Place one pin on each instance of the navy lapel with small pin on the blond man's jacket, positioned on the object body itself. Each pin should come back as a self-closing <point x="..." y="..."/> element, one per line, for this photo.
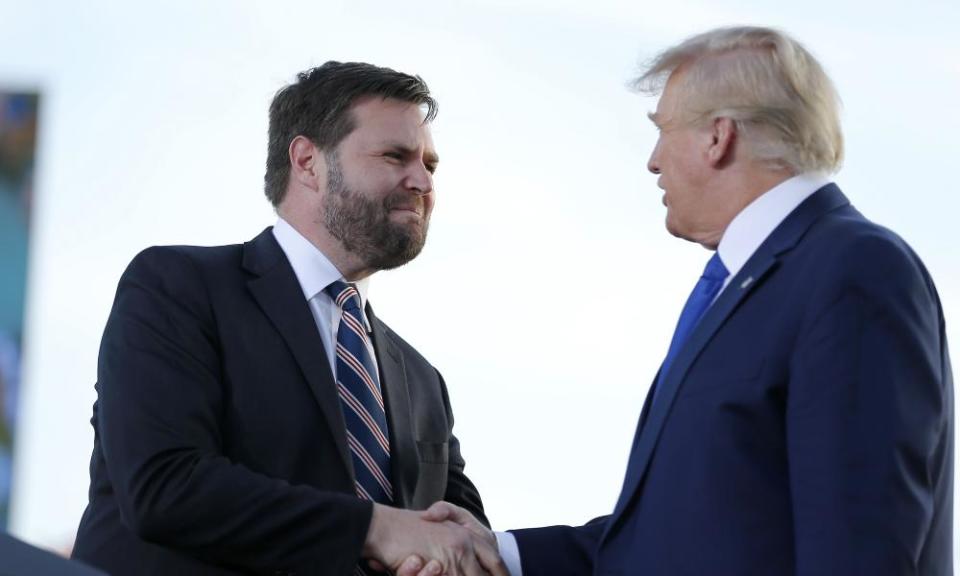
<point x="760" y="265"/>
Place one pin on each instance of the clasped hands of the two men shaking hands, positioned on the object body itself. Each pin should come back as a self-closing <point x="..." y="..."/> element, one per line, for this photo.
<point x="442" y="540"/>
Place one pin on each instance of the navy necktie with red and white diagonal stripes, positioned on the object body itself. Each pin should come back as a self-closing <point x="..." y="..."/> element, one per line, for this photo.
<point x="361" y="400"/>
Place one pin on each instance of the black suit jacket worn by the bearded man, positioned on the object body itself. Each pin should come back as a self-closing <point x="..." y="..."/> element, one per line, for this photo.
<point x="220" y="446"/>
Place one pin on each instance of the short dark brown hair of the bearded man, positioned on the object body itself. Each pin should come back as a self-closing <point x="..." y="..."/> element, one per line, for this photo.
<point x="318" y="105"/>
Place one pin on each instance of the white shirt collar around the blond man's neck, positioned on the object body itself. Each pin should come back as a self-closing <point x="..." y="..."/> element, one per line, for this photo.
<point x="760" y="218"/>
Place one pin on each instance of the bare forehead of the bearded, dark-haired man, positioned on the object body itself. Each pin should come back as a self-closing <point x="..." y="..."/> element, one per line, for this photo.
<point x="381" y="120"/>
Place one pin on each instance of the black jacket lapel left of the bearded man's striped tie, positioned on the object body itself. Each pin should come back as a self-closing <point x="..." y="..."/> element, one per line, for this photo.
<point x="276" y="290"/>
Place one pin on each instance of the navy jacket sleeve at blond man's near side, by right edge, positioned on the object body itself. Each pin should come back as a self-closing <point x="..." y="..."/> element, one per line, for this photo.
<point x="870" y="419"/>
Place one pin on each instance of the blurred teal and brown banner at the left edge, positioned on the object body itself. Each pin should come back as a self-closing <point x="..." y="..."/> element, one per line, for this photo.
<point x="18" y="135"/>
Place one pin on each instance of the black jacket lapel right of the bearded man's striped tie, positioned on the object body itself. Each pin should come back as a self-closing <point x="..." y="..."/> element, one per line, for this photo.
<point x="396" y="398"/>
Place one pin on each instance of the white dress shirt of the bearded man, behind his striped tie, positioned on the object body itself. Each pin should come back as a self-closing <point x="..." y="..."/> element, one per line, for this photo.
<point x="315" y="272"/>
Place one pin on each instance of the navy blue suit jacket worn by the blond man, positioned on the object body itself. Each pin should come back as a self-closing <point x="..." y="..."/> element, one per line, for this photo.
<point x="806" y="427"/>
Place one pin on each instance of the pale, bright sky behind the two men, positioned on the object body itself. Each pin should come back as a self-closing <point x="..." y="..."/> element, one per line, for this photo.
<point x="153" y="131"/>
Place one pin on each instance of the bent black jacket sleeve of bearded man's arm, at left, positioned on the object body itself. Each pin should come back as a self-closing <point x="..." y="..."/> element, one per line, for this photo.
<point x="161" y="398"/>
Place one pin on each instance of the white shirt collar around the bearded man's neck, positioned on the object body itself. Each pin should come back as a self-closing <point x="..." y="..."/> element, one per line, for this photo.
<point x="313" y="269"/>
